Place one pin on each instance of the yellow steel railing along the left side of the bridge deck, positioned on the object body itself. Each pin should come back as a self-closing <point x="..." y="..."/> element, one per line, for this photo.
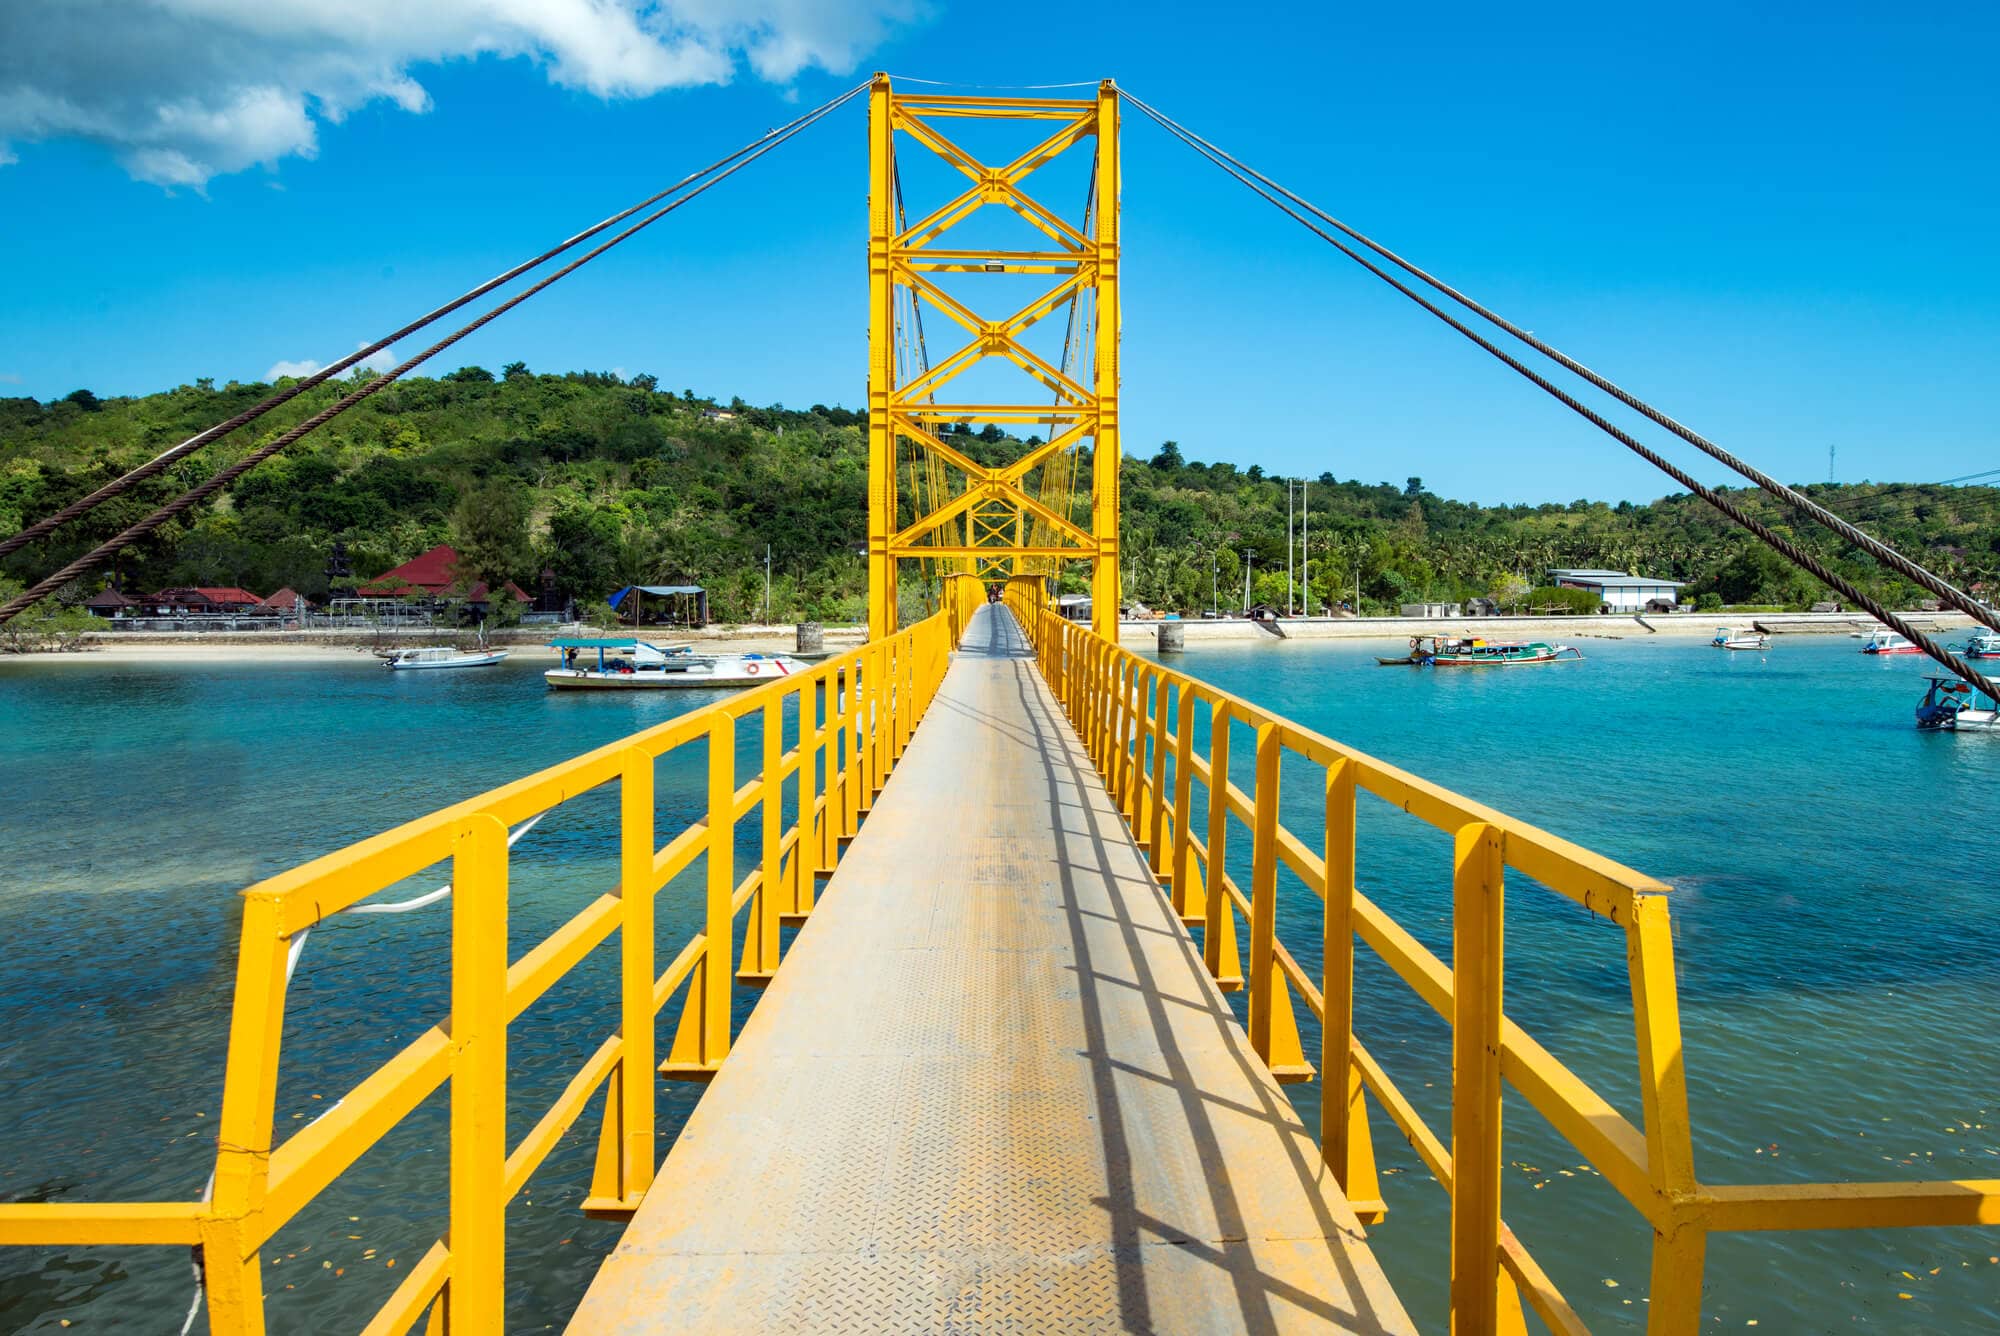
<point x="855" y="717"/>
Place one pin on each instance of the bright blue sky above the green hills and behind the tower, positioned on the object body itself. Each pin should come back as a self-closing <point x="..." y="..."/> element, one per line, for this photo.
<point x="1781" y="225"/>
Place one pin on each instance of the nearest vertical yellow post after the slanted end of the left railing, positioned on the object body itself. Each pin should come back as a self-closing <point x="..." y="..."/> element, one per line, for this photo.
<point x="475" y="1297"/>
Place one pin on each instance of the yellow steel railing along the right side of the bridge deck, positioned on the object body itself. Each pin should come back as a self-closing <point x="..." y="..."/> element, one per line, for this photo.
<point x="1139" y="721"/>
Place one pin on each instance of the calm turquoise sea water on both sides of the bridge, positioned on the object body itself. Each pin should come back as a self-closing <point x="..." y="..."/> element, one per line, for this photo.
<point x="1837" y="941"/>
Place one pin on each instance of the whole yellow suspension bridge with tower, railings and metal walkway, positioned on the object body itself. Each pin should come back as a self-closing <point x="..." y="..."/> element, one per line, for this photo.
<point x="995" y="1081"/>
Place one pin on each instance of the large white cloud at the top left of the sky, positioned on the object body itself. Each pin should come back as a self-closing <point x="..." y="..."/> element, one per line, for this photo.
<point x="185" y="91"/>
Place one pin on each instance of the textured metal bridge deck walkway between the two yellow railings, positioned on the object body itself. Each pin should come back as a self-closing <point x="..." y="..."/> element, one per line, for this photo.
<point x="993" y="1087"/>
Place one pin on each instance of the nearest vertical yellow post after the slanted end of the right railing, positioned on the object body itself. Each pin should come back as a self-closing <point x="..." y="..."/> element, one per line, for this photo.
<point x="1479" y="939"/>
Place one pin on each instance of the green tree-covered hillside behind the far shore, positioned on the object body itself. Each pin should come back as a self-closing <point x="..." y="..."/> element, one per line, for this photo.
<point x="609" y="481"/>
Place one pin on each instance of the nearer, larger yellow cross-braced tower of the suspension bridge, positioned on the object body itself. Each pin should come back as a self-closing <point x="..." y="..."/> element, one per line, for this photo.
<point x="931" y="503"/>
